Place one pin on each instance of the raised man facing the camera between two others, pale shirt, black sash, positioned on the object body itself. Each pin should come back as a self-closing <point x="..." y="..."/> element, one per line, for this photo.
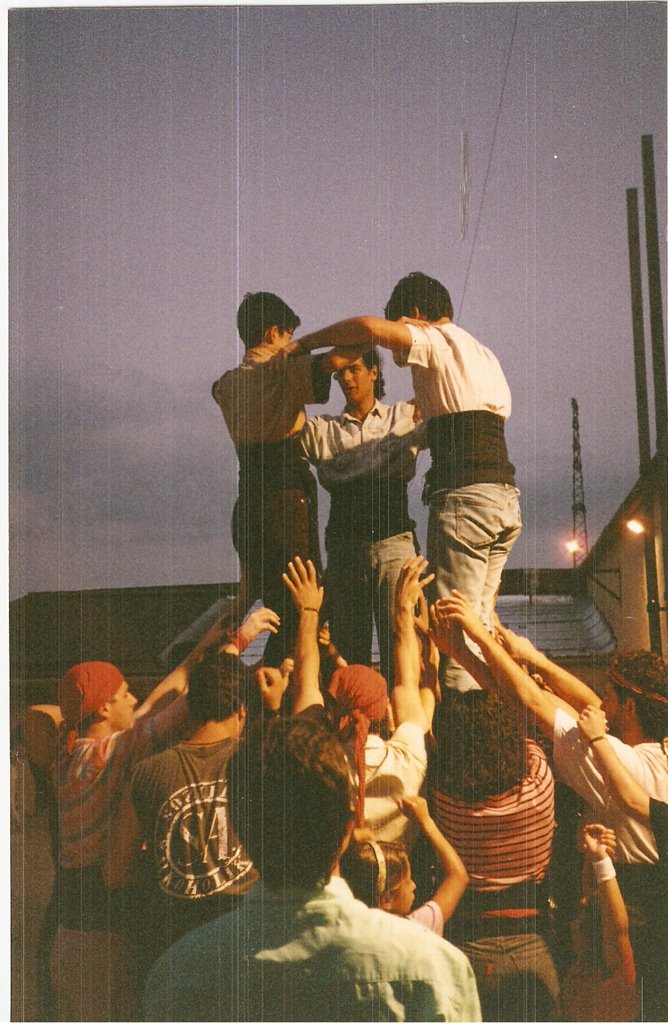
<point x="365" y="458"/>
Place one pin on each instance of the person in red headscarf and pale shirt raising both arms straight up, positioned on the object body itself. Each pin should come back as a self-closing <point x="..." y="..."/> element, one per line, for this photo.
<point x="388" y="767"/>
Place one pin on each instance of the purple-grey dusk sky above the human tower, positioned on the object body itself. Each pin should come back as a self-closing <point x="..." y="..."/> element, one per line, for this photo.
<point x="165" y="161"/>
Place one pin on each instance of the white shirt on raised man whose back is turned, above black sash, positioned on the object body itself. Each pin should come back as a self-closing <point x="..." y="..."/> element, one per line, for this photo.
<point x="453" y="373"/>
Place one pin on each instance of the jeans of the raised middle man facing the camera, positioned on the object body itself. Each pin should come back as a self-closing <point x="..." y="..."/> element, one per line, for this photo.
<point x="360" y="584"/>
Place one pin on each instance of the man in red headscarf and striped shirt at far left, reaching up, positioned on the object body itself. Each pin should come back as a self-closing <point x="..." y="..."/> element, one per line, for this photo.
<point x="104" y="736"/>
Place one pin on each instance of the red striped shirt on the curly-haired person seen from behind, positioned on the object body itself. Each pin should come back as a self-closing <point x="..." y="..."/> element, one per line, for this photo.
<point x="506" y="839"/>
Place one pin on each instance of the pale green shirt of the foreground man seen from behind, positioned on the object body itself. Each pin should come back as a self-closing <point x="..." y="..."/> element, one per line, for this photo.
<point x="312" y="956"/>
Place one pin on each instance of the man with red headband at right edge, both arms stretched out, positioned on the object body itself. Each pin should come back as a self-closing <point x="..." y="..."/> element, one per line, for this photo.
<point x="636" y="709"/>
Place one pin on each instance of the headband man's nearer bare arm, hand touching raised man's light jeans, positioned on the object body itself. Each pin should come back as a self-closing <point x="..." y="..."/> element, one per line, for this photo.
<point x="499" y="671"/>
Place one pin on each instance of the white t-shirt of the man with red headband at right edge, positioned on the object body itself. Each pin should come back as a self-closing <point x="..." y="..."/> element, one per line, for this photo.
<point x="575" y="764"/>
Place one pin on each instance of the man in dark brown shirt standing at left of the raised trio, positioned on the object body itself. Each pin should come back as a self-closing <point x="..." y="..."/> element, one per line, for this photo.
<point x="263" y="401"/>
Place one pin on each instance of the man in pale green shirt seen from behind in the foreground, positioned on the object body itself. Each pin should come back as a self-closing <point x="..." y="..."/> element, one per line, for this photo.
<point x="302" y="948"/>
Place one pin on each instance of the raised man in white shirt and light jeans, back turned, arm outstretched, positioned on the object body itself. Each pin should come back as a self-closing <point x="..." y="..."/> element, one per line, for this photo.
<point x="465" y="399"/>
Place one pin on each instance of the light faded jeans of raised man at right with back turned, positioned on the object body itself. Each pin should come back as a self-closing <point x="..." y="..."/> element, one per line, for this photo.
<point x="471" y="533"/>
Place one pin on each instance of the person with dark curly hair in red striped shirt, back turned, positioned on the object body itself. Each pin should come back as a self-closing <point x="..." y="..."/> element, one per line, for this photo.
<point x="493" y="798"/>
